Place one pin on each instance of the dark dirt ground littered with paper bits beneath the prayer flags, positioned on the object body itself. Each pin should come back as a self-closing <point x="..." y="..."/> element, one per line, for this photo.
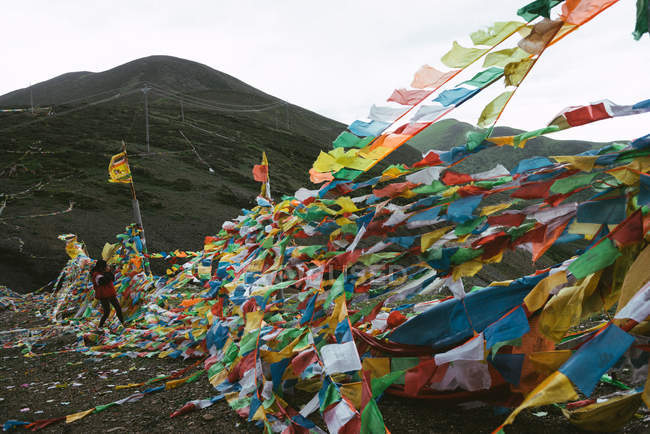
<point x="58" y="384"/>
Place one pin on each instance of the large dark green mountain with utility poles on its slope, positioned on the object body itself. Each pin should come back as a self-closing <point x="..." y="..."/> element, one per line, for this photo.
<point x="60" y="154"/>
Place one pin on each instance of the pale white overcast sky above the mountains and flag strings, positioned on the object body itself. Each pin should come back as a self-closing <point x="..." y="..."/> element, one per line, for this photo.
<point x="336" y="57"/>
